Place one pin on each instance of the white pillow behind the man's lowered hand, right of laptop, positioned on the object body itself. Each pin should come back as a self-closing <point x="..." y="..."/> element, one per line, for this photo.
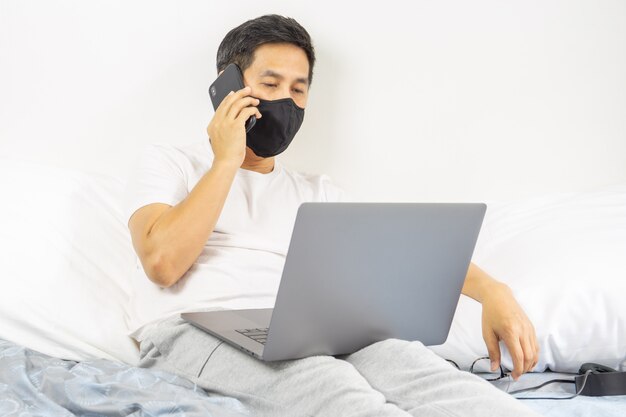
<point x="564" y="257"/>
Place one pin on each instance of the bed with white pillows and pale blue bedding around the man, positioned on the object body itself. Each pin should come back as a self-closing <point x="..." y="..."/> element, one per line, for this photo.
<point x="66" y="255"/>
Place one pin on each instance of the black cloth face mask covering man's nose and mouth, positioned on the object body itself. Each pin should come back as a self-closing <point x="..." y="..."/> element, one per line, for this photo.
<point x="272" y="133"/>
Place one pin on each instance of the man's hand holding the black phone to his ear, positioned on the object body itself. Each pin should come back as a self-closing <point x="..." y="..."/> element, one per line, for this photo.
<point x="227" y="130"/>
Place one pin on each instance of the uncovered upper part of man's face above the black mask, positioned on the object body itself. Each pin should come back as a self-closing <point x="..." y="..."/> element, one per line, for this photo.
<point x="279" y="70"/>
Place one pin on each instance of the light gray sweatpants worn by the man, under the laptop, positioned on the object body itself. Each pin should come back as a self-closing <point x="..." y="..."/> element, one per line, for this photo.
<point x="388" y="378"/>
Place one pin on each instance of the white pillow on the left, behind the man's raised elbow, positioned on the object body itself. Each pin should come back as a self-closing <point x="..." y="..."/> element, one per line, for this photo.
<point x="65" y="263"/>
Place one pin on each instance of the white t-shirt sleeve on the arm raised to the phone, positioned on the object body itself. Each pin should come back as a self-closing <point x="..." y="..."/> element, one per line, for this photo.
<point x="158" y="177"/>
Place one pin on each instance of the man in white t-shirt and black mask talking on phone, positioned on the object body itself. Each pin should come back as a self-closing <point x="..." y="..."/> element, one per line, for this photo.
<point x="211" y="224"/>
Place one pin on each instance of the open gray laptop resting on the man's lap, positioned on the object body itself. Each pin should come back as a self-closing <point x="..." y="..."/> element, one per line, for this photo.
<point x="358" y="273"/>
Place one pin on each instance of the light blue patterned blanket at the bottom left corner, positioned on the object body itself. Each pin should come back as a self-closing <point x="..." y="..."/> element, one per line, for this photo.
<point x="32" y="383"/>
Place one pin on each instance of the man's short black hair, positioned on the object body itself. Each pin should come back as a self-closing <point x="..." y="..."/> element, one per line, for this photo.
<point x="239" y="44"/>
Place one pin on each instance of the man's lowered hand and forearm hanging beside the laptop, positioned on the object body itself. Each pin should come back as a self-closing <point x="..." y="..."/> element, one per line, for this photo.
<point x="503" y="319"/>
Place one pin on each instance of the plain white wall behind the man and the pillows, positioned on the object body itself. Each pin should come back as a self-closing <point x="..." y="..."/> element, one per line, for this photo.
<point x="412" y="100"/>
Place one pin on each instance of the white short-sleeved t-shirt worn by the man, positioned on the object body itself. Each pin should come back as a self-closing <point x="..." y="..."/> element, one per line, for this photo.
<point x="242" y="261"/>
